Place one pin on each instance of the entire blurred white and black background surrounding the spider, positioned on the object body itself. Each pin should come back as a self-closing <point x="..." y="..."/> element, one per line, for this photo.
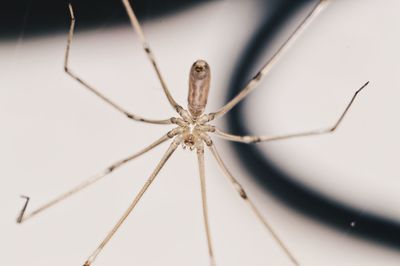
<point x="333" y="199"/>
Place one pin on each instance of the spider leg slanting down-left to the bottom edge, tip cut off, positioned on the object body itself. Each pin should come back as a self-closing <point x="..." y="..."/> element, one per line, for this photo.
<point x="150" y="180"/>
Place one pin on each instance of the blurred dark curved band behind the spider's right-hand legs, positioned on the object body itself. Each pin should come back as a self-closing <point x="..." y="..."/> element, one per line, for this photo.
<point x="282" y="186"/>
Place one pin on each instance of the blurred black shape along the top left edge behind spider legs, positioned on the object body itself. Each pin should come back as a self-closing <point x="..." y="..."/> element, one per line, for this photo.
<point x="30" y="17"/>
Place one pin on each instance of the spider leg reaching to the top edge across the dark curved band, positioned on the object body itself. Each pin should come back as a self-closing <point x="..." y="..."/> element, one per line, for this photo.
<point x="270" y="63"/>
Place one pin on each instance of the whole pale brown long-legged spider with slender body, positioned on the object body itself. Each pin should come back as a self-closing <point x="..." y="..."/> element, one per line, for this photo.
<point x="191" y="130"/>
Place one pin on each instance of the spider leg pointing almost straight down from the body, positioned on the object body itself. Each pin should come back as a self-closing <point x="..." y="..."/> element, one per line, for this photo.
<point x="200" y="157"/>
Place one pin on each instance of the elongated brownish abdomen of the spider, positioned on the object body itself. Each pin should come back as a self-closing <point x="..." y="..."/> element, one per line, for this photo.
<point x="199" y="85"/>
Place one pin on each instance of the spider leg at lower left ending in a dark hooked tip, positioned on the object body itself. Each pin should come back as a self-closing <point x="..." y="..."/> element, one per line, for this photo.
<point x="22" y="217"/>
